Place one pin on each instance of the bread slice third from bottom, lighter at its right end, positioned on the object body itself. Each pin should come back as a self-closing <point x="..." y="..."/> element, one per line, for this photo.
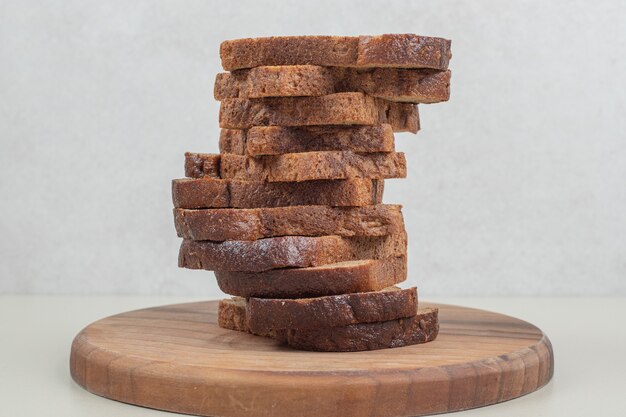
<point x="331" y="279"/>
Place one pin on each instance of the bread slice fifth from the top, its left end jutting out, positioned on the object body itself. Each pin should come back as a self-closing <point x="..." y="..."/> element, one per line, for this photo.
<point x="296" y="167"/>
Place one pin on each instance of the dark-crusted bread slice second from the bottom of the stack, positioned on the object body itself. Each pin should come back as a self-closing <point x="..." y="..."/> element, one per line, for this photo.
<point x="265" y="315"/>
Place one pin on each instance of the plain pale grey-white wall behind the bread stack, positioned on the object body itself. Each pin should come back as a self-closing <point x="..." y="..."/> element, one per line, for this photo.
<point x="517" y="186"/>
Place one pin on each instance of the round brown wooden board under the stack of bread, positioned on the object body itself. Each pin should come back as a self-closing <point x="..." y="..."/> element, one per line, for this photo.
<point x="176" y="358"/>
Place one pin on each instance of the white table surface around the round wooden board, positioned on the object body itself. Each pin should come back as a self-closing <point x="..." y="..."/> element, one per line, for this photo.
<point x="588" y="337"/>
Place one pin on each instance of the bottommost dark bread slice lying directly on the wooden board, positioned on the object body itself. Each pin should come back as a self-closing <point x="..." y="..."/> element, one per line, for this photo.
<point x="421" y="328"/>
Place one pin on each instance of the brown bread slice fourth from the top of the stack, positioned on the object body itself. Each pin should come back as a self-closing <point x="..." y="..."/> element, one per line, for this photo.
<point x="276" y="140"/>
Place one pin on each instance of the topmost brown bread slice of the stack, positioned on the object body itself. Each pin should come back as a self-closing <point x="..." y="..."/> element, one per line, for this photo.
<point x="393" y="50"/>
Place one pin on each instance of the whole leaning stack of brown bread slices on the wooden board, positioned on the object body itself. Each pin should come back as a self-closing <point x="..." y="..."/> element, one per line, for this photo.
<point x="289" y="215"/>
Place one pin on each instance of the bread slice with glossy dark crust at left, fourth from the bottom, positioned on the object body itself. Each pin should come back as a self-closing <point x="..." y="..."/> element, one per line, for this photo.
<point x="286" y="251"/>
